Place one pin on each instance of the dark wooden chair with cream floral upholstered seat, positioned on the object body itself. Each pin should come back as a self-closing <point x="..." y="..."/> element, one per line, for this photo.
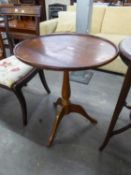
<point x="14" y="75"/>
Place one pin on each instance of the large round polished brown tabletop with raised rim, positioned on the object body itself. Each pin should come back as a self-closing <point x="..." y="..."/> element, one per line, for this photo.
<point x="66" y="51"/>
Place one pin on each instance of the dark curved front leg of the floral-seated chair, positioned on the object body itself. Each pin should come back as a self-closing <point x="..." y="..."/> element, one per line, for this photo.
<point x="21" y="99"/>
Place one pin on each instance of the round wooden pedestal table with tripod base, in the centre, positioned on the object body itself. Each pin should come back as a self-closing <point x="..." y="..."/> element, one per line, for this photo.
<point x="66" y="52"/>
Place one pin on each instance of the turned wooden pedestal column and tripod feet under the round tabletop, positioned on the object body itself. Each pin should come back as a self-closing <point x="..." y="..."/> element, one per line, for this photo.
<point x="67" y="107"/>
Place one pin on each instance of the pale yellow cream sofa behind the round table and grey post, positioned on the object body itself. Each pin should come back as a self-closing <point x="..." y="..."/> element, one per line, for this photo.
<point x="113" y="23"/>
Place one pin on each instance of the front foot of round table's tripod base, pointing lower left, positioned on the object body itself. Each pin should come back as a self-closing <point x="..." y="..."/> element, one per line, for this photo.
<point x="56" y="123"/>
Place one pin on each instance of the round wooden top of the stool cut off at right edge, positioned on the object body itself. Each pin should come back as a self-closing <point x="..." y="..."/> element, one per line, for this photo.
<point x="125" y="50"/>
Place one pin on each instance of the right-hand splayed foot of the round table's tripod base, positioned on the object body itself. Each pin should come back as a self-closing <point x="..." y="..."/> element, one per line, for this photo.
<point x="79" y="109"/>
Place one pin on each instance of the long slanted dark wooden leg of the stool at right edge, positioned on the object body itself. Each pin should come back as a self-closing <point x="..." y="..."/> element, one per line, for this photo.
<point x="120" y="103"/>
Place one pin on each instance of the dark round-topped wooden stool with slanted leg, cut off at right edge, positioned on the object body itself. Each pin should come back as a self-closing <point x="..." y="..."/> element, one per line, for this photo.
<point x="125" y="53"/>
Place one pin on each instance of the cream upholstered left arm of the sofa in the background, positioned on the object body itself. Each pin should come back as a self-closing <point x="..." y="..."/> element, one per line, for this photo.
<point x="48" y="27"/>
